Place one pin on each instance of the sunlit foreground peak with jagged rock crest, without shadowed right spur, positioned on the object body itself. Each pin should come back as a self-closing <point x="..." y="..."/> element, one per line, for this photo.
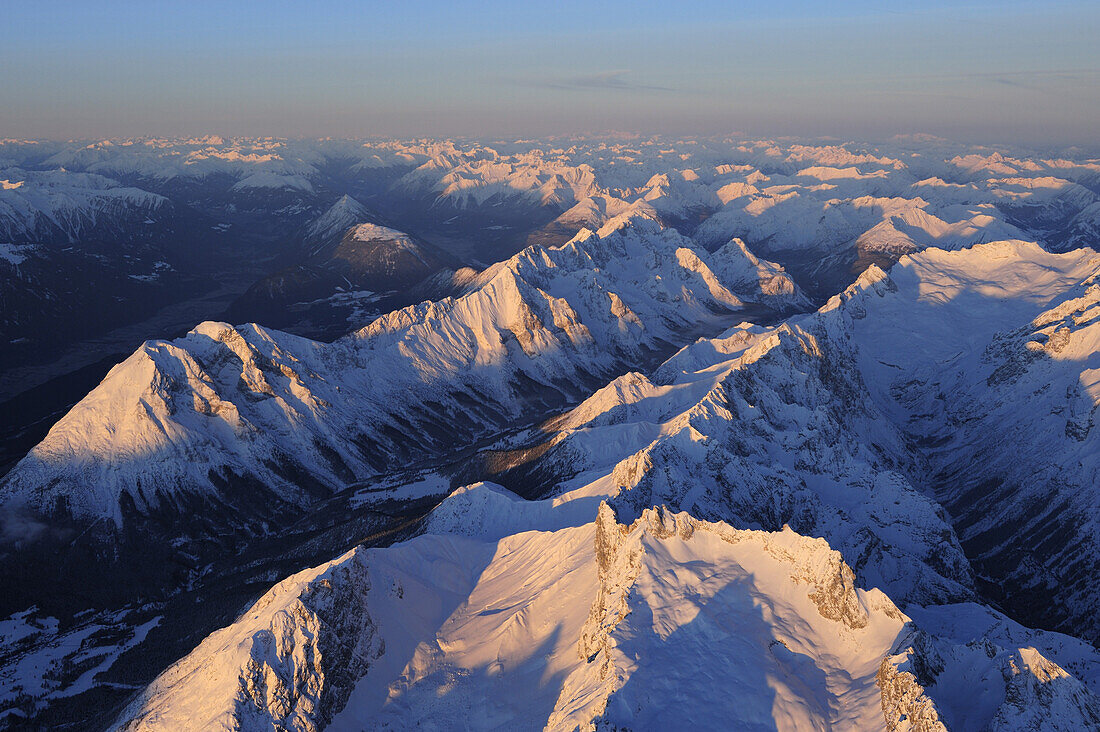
<point x="365" y="640"/>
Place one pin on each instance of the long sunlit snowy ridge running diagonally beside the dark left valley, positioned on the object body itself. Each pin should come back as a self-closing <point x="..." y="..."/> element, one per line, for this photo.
<point x="228" y="407"/>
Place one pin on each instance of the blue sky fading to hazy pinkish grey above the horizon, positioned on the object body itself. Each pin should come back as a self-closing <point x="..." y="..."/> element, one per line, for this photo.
<point x="1007" y="72"/>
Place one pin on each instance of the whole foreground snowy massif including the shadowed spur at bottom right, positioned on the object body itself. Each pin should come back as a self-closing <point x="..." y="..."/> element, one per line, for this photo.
<point x="663" y="622"/>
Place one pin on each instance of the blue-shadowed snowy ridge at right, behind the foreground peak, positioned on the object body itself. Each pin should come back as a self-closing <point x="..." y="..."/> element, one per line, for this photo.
<point x="744" y="428"/>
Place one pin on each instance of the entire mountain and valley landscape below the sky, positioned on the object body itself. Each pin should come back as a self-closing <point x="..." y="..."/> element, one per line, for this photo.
<point x="596" y="433"/>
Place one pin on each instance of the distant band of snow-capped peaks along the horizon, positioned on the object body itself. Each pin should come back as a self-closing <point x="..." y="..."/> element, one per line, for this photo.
<point x="778" y="196"/>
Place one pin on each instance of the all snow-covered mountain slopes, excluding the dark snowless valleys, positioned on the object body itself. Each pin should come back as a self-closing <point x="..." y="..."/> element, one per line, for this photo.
<point x="966" y="377"/>
